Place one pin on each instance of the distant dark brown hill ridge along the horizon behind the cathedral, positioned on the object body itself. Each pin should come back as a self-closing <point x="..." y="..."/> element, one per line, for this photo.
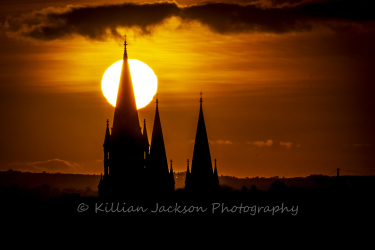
<point x="87" y="185"/>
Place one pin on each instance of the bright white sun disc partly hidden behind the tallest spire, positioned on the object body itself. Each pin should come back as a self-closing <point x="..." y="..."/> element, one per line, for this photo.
<point x="144" y="82"/>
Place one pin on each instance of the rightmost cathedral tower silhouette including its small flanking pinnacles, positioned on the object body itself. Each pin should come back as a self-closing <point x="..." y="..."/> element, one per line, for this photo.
<point x="201" y="177"/>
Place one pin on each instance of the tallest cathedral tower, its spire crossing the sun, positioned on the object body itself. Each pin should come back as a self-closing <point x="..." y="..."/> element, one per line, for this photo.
<point x="124" y="147"/>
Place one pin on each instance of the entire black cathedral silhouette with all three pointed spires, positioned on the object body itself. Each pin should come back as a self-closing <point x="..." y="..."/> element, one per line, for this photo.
<point x="132" y="166"/>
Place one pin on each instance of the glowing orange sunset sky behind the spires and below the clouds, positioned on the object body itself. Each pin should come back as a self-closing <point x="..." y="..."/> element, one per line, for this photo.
<point x="279" y="100"/>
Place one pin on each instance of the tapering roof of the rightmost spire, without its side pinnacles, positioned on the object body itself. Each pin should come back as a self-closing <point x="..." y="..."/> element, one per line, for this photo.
<point x="201" y="163"/>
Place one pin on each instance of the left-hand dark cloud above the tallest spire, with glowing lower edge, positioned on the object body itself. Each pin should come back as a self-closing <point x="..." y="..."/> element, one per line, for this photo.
<point x="94" y="22"/>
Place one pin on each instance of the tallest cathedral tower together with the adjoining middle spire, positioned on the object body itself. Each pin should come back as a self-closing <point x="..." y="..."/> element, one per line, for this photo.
<point x="131" y="165"/>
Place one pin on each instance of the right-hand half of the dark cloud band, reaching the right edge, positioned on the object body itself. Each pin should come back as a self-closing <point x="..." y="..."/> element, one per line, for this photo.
<point x="226" y="18"/>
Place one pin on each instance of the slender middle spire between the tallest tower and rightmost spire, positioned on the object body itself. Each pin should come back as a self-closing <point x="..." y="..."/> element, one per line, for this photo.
<point x="158" y="156"/>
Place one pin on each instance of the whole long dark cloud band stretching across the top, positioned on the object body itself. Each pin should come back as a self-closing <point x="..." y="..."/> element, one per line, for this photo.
<point x="276" y="16"/>
